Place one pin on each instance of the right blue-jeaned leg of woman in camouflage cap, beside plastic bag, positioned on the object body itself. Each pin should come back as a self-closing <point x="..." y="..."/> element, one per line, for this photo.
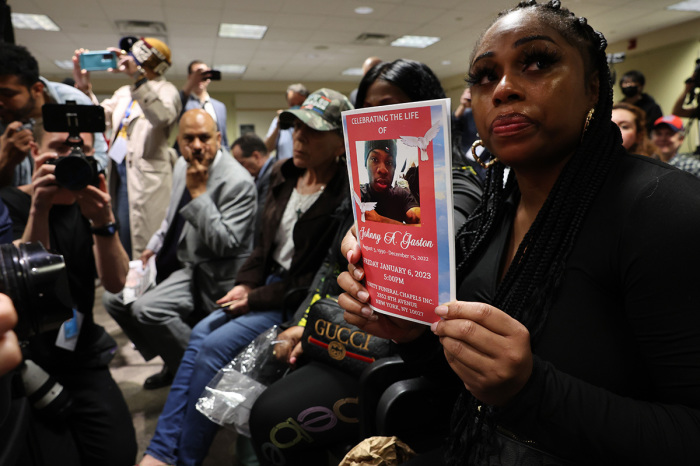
<point x="217" y="350"/>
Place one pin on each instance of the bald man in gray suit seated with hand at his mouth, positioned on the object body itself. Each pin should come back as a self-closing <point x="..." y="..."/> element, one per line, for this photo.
<point x="206" y="235"/>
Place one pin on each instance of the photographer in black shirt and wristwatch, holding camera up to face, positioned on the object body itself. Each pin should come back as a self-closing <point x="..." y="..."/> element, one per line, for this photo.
<point x="94" y="425"/>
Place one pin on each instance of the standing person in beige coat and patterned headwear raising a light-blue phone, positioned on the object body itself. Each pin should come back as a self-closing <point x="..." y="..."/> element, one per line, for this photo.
<point x="142" y="116"/>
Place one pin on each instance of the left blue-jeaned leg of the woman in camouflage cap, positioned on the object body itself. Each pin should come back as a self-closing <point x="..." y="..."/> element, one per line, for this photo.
<point x="164" y="445"/>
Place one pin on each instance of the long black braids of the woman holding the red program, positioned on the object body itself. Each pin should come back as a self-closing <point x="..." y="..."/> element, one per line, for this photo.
<point x="529" y="287"/>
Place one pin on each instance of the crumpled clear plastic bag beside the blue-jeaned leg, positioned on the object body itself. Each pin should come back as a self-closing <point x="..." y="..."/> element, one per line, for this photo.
<point x="230" y="395"/>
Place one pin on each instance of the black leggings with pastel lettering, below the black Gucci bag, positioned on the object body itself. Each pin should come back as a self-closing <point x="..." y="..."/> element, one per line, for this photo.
<point x="298" y="417"/>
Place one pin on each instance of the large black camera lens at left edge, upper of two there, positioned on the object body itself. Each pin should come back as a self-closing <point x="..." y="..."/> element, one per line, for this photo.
<point x="37" y="283"/>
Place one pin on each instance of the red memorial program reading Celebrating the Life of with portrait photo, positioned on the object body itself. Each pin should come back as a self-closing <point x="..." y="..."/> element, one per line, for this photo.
<point x="399" y="164"/>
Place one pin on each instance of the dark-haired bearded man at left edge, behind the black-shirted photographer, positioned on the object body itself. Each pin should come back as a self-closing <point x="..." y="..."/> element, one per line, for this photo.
<point x="22" y="94"/>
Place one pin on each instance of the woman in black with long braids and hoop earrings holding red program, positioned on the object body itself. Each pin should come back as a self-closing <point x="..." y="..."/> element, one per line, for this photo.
<point x="575" y="336"/>
